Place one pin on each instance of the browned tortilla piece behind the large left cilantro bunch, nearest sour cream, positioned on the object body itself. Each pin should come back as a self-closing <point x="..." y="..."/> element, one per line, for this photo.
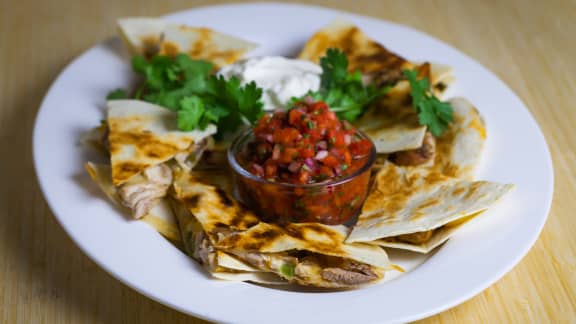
<point x="203" y="43"/>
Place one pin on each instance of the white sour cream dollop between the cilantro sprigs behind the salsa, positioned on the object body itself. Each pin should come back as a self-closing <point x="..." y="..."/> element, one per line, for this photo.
<point x="280" y="78"/>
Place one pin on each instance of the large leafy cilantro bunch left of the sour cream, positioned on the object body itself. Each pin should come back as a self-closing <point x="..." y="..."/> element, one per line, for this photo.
<point x="199" y="98"/>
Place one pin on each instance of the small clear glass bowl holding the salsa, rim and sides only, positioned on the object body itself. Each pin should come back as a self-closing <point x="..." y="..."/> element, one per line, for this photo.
<point x="332" y="202"/>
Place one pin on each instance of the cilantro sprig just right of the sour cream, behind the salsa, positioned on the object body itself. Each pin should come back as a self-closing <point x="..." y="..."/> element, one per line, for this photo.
<point x="344" y="92"/>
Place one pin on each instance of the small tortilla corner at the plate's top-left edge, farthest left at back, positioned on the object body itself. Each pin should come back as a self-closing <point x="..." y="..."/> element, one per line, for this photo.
<point x="142" y="35"/>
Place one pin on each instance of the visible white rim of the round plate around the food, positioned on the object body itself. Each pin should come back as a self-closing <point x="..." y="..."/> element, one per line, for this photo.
<point x="131" y="251"/>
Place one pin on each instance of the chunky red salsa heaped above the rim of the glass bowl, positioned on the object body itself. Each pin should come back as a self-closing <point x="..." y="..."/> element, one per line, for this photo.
<point x="304" y="145"/>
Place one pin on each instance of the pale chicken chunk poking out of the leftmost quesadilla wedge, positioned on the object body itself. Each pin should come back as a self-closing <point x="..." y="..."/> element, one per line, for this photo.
<point x="142" y="192"/>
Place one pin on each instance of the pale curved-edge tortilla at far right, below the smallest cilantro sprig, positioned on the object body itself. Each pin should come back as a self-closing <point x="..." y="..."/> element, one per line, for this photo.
<point x="459" y="149"/>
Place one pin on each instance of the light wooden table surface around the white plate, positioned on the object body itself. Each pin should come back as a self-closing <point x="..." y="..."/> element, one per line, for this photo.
<point x="45" y="278"/>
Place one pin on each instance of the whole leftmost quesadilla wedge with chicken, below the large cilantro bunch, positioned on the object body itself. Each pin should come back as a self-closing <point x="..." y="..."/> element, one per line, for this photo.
<point x="142" y="141"/>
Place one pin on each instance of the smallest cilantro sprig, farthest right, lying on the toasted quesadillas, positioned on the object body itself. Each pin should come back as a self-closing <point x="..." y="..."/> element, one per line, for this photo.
<point x="433" y="113"/>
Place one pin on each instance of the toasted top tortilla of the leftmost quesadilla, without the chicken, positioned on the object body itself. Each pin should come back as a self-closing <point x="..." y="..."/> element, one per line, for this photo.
<point x="142" y="135"/>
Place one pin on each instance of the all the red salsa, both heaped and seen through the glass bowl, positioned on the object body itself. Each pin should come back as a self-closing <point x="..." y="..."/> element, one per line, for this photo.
<point x="306" y="145"/>
